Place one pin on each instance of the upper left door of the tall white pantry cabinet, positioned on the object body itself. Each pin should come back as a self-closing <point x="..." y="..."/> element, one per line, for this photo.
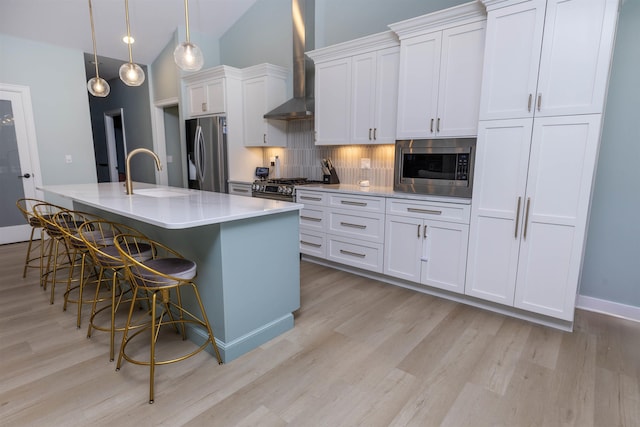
<point x="511" y="58"/>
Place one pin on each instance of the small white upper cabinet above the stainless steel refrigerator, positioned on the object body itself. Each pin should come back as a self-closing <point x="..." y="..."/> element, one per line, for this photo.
<point x="207" y="90"/>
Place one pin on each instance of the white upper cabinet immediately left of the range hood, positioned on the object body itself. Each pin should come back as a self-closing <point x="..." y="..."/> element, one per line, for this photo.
<point x="263" y="89"/>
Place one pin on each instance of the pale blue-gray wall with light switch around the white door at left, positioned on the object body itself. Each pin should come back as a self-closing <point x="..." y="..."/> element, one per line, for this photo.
<point x="60" y="102"/>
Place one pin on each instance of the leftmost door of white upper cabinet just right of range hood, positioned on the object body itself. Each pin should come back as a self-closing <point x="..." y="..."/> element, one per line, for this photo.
<point x="333" y="106"/>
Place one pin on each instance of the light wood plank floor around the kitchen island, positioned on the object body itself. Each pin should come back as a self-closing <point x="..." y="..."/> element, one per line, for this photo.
<point x="361" y="353"/>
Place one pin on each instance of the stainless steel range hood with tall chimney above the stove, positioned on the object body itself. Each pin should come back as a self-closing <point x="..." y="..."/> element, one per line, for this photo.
<point x="301" y="106"/>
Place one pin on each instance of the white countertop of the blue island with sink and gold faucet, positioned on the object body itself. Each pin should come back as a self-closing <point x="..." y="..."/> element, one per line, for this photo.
<point x="170" y="207"/>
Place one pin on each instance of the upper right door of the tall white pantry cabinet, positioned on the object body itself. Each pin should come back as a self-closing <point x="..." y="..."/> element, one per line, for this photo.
<point x="576" y="55"/>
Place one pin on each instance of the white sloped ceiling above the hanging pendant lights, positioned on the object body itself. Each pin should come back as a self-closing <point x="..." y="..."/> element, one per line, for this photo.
<point x="153" y="22"/>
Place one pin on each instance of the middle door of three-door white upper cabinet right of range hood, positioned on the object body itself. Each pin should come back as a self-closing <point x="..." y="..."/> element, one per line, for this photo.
<point x="363" y="98"/>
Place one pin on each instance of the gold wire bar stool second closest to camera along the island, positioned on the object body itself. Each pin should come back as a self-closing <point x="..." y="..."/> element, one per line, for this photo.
<point x="98" y="238"/>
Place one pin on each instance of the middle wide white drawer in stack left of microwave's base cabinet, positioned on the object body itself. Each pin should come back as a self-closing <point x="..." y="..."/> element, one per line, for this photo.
<point x="355" y="225"/>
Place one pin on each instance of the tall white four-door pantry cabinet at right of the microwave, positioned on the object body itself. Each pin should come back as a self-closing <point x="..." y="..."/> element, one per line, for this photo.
<point x="545" y="75"/>
